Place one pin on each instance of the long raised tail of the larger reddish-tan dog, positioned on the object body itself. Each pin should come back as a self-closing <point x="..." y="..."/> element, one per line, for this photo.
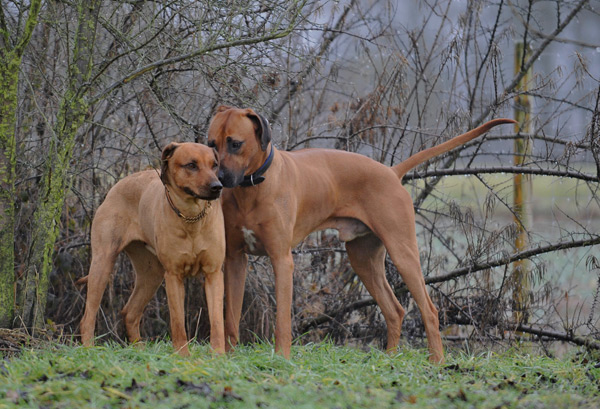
<point x="402" y="168"/>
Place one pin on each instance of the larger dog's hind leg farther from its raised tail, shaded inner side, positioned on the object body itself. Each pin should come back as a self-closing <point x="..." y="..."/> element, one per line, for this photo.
<point x="367" y="257"/>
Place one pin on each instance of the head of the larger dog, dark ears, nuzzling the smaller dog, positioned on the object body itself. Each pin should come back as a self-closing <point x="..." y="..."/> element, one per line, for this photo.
<point x="241" y="137"/>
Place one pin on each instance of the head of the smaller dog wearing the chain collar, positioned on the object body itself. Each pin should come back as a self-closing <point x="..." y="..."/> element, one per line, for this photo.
<point x="192" y="169"/>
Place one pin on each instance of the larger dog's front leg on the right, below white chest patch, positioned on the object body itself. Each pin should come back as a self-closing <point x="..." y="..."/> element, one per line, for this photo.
<point x="283" y="266"/>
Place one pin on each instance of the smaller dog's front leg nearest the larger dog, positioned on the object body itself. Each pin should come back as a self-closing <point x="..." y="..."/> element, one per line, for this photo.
<point x="214" y="289"/>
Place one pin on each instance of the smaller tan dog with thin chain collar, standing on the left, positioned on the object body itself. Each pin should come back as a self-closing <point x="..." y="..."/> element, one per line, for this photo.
<point x="136" y="217"/>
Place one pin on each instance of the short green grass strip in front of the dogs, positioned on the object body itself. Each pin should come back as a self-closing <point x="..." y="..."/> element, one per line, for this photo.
<point x="317" y="376"/>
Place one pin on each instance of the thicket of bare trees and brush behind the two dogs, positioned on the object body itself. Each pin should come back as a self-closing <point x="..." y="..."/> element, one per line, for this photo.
<point x="92" y="90"/>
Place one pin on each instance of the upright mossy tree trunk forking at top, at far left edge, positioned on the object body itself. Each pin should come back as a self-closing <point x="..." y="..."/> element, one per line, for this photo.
<point x="10" y="61"/>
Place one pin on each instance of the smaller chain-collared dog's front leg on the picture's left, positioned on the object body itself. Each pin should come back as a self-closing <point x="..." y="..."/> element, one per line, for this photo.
<point x="176" y="298"/>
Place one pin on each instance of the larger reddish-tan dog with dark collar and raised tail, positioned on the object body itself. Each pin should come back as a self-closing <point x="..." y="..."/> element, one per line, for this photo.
<point x="314" y="189"/>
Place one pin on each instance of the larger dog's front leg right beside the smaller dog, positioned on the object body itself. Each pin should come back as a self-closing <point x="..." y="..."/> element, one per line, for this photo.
<point x="235" y="283"/>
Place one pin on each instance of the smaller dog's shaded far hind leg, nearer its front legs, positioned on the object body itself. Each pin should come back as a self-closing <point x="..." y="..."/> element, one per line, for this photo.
<point x="149" y="274"/>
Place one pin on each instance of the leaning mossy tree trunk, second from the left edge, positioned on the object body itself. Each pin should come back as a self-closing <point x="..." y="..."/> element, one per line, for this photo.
<point x="55" y="182"/>
